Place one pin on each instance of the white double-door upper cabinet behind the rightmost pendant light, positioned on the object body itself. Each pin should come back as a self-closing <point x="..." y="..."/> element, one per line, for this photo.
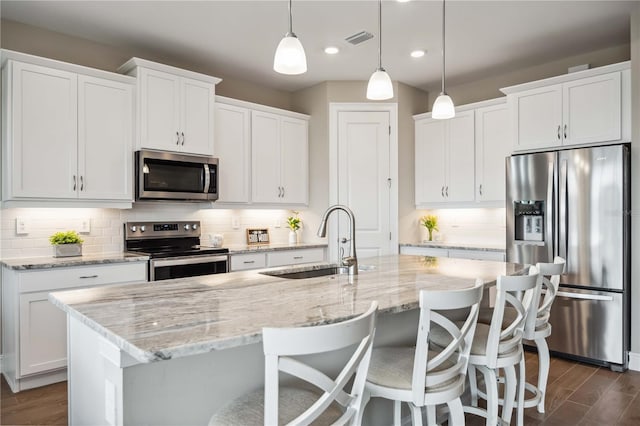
<point x="444" y="167"/>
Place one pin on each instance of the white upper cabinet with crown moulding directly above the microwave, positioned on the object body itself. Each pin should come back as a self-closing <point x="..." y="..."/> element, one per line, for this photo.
<point x="175" y="107"/>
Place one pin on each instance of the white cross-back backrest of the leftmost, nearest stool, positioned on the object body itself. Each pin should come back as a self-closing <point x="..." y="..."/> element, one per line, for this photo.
<point x="282" y="344"/>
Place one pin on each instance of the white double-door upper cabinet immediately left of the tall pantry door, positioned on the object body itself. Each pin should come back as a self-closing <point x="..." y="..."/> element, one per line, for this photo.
<point x="279" y="159"/>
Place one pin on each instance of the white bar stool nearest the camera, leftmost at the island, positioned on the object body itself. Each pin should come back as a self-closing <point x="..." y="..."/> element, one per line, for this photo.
<point x="327" y="402"/>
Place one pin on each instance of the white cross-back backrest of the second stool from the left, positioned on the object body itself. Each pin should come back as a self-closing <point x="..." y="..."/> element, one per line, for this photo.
<point x="450" y="363"/>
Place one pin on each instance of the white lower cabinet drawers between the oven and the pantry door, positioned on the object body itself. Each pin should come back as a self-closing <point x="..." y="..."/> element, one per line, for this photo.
<point x="246" y="261"/>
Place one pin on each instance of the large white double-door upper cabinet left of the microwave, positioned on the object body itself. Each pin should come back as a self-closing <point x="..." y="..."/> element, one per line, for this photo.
<point x="67" y="133"/>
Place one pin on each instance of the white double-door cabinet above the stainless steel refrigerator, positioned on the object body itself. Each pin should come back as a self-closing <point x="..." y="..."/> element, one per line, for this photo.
<point x="586" y="107"/>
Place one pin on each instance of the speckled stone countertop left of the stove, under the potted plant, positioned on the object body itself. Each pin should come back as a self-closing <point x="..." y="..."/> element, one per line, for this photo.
<point x="46" y="262"/>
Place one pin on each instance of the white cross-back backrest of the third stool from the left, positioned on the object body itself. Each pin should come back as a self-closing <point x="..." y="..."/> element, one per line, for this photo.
<point x="522" y="293"/>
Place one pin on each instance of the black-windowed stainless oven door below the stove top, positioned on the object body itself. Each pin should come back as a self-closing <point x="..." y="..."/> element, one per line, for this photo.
<point x="187" y="266"/>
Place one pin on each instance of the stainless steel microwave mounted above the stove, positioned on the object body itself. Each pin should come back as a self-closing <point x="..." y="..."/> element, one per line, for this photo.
<point x="172" y="176"/>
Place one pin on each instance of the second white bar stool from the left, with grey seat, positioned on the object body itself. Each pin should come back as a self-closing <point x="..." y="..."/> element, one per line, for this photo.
<point x="423" y="376"/>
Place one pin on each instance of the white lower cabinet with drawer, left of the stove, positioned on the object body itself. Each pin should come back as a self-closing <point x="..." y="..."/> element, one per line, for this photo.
<point x="34" y="333"/>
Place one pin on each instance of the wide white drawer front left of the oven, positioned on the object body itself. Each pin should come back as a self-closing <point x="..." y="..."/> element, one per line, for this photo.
<point x="82" y="276"/>
